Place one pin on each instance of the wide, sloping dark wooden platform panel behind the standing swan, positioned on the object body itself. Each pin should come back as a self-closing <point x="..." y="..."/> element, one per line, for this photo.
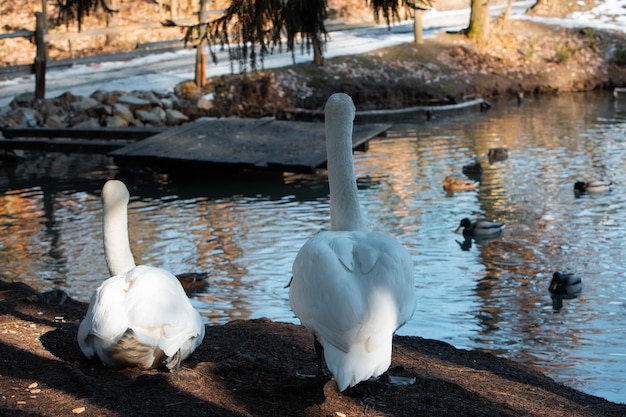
<point x="237" y="145"/>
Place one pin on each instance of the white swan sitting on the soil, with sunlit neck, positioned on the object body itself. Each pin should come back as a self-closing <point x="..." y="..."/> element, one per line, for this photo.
<point x="140" y="317"/>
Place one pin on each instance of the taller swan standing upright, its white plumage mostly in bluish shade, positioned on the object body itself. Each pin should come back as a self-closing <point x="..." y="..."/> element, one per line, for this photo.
<point x="351" y="288"/>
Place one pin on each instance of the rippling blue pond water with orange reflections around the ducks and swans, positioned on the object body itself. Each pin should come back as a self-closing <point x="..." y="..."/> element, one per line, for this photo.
<point x="490" y="296"/>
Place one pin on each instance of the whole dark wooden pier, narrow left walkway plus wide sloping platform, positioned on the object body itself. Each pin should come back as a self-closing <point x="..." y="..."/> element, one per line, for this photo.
<point x="225" y="145"/>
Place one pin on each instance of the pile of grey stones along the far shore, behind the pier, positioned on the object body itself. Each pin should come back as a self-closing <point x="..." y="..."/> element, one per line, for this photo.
<point x="100" y="109"/>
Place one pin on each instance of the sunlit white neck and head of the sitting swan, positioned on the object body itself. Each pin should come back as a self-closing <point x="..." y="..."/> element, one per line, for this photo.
<point x="117" y="251"/>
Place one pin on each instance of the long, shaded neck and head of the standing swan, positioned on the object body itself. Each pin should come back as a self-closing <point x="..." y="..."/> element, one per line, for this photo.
<point x="345" y="211"/>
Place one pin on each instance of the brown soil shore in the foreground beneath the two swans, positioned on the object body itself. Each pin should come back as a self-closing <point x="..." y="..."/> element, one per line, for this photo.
<point x="248" y="368"/>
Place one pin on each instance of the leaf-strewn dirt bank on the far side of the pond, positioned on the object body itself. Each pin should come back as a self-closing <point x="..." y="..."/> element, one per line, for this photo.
<point x="521" y="58"/>
